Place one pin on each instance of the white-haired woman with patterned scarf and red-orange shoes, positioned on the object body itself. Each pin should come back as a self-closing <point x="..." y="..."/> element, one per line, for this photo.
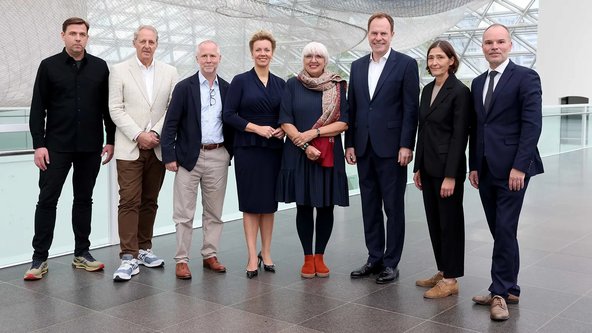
<point x="314" y="114"/>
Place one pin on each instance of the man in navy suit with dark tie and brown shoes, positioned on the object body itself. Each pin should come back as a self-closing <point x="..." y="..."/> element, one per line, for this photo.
<point x="503" y="155"/>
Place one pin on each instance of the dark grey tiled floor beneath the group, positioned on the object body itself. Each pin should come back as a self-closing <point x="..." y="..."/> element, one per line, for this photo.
<point x="556" y="278"/>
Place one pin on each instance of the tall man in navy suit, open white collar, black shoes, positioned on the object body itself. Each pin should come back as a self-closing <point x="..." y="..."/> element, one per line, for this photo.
<point x="383" y="101"/>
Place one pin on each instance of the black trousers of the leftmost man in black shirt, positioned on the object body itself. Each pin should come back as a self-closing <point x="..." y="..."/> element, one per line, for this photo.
<point x="51" y="181"/>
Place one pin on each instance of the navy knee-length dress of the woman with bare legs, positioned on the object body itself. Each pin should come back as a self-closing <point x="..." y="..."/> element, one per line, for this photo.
<point x="256" y="159"/>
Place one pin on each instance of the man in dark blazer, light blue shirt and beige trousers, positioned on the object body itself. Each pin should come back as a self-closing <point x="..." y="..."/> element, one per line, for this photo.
<point x="198" y="147"/>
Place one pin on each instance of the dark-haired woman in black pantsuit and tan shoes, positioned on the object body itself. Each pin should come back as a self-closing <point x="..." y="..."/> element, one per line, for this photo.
<point x="440" y="166"/>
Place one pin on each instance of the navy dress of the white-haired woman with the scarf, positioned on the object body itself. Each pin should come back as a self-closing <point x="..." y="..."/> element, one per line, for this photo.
<point x="301" y="180"/>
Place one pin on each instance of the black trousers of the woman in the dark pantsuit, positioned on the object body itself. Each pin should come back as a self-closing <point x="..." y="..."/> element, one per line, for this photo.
<point x="446" y="224"/>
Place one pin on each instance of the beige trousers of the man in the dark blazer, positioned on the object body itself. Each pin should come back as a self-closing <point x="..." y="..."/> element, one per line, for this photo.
<point x="211" y="173"/>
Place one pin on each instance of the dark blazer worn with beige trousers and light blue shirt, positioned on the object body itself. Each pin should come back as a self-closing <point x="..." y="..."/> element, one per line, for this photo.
<point x="181" y="133"/>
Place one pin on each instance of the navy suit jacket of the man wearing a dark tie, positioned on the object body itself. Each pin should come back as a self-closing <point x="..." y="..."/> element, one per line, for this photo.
<point x="508" y="134"/>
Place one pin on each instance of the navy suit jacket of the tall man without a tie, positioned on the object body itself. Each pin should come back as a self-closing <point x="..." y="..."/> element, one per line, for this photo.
<point x="389" y="120"/>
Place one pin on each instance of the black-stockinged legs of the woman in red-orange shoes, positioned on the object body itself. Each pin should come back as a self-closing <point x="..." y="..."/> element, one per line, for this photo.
<point x="305" y="224"/>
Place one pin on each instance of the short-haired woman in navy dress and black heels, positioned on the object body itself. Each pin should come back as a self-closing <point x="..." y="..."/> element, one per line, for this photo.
<point x="252" y="108"/>
